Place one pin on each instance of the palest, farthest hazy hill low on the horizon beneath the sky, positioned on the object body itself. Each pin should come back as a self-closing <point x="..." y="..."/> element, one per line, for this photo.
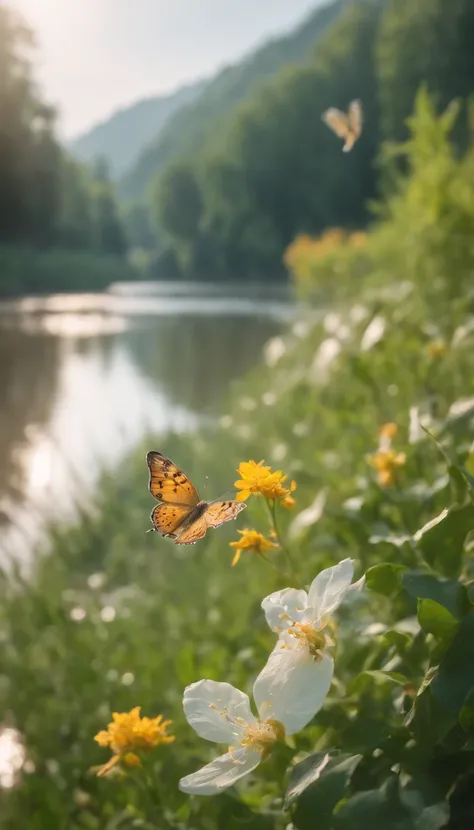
<point x="122" y="137"/>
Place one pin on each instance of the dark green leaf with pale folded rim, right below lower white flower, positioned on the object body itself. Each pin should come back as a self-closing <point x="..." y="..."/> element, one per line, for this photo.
<point x="317" y="784"/>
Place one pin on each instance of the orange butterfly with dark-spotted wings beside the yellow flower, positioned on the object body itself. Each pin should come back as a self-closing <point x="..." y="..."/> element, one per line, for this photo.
<point x="181" y="514"/>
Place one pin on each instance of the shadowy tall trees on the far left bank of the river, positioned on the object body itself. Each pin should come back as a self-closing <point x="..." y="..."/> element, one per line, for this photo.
<point x="47" y="200"/>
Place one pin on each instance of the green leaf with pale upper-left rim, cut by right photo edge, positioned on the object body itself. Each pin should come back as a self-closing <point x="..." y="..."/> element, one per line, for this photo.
<point x="442" y="539"/>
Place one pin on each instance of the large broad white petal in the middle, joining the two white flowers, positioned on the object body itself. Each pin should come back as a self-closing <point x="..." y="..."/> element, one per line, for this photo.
<point x="292" y="687"/>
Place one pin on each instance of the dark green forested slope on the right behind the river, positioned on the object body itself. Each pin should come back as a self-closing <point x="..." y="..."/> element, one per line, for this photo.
<point x="228" y="207"/>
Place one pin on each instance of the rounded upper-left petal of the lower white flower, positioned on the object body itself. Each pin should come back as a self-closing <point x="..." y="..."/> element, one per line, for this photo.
<point x="204" y="703"/>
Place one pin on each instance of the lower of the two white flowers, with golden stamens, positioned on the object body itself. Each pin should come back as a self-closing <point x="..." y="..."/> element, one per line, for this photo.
<point x="221" y="713"/>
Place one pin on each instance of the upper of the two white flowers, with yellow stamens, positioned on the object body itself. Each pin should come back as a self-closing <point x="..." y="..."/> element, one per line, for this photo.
<point x="300" y="665"/>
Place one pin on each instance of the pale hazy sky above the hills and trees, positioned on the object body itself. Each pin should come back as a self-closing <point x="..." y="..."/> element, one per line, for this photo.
<point x="97" y="55"/>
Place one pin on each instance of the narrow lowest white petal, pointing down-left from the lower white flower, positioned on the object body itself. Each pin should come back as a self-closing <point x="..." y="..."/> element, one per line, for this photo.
<point x="221" y="773"/>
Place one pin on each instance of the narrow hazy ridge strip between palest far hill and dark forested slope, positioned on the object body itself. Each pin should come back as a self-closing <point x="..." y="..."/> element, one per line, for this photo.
<point x="189" y="127"/>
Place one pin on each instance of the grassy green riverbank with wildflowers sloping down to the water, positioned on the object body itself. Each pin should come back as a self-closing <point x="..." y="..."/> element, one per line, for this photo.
<point x="113" y="618"/>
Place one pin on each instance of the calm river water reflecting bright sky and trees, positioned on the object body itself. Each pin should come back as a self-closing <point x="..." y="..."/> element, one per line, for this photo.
<point x="83" y="377"/>
